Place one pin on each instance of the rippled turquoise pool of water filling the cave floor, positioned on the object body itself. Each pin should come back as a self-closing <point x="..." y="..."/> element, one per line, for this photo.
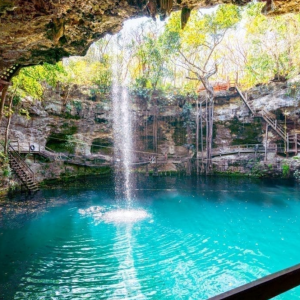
<point x="183" y="239"/>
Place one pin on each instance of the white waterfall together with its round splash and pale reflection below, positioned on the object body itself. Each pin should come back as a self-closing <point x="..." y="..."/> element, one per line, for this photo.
<point x="130" y="287"/>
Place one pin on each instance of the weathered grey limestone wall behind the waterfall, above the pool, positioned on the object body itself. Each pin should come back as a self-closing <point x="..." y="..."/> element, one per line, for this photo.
<point x="82" y="125"/>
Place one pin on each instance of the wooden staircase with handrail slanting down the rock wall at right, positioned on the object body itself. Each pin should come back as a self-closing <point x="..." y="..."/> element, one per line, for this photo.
<point x="292" y="141"/>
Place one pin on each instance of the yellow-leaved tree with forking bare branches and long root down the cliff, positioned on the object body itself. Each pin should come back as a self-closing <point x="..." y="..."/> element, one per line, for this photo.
<point x="197" y="47"/>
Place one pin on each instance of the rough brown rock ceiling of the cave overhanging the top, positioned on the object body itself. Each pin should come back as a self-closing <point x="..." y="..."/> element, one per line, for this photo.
<point x="39" y="31"/>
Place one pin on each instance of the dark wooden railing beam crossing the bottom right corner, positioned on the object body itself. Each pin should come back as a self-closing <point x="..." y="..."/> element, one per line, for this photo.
<point x="266" y="287"/>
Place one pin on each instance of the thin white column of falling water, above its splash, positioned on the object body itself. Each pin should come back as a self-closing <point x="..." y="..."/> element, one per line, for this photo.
<point x="122" y="127"/>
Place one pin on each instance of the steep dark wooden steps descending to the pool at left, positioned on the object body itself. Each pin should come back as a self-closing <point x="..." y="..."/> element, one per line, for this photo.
<point x="22" y="170"/>
